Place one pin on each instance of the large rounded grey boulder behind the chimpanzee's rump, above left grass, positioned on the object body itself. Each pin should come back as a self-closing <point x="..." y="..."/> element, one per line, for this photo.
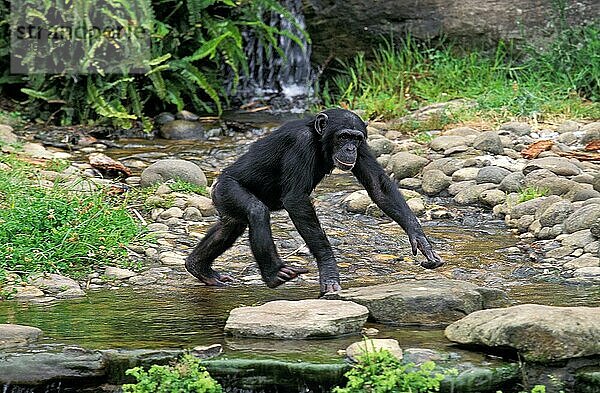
<point x="164" y="170"/>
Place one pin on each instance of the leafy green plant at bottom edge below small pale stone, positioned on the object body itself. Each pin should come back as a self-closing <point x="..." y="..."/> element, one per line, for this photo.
<point x="380" y="372"/>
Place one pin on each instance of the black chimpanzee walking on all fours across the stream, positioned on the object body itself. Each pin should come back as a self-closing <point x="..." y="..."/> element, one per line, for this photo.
<point x="279" y="172"/>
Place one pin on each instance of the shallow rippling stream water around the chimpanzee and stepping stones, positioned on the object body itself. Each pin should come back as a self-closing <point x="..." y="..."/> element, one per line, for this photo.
<point x="369" y="250"/>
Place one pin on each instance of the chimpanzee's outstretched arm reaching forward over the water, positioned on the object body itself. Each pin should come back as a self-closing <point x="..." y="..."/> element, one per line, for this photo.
<point x="385" y="194"/>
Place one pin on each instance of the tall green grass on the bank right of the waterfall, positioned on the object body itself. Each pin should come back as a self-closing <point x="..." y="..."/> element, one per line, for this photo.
<point x="562" y="79"/>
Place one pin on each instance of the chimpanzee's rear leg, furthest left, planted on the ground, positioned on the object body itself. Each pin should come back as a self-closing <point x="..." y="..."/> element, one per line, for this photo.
<point x="217" y="240"/>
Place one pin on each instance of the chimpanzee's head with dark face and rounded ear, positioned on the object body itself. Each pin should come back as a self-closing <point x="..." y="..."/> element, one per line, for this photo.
<point x="341" y="132"/>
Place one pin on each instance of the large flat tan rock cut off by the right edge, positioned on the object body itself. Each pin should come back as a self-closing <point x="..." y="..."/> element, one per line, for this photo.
<point x="538" y="333"/>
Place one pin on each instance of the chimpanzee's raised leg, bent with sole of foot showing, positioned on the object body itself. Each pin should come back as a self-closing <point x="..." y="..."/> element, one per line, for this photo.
<point x="240" y="201"/>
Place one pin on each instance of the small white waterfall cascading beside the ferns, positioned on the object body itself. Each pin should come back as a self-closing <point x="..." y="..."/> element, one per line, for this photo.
<point x="285" y="83"/>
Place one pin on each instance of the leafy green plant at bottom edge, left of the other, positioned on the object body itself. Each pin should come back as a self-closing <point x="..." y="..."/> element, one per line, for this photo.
<point x="187" y="376"/>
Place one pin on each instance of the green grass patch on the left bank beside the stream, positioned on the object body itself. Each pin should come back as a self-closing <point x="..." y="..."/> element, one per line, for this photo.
<point x="53" y="230"/>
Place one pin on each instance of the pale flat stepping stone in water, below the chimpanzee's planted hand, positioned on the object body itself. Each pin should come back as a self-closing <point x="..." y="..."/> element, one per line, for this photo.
<point x="300" y="319"/>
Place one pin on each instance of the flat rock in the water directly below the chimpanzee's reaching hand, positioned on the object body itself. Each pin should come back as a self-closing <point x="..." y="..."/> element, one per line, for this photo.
<point x="423" y="302"/>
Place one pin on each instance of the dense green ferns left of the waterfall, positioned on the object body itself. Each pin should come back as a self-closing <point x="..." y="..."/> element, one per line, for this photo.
<point x="195" y="52"/>
